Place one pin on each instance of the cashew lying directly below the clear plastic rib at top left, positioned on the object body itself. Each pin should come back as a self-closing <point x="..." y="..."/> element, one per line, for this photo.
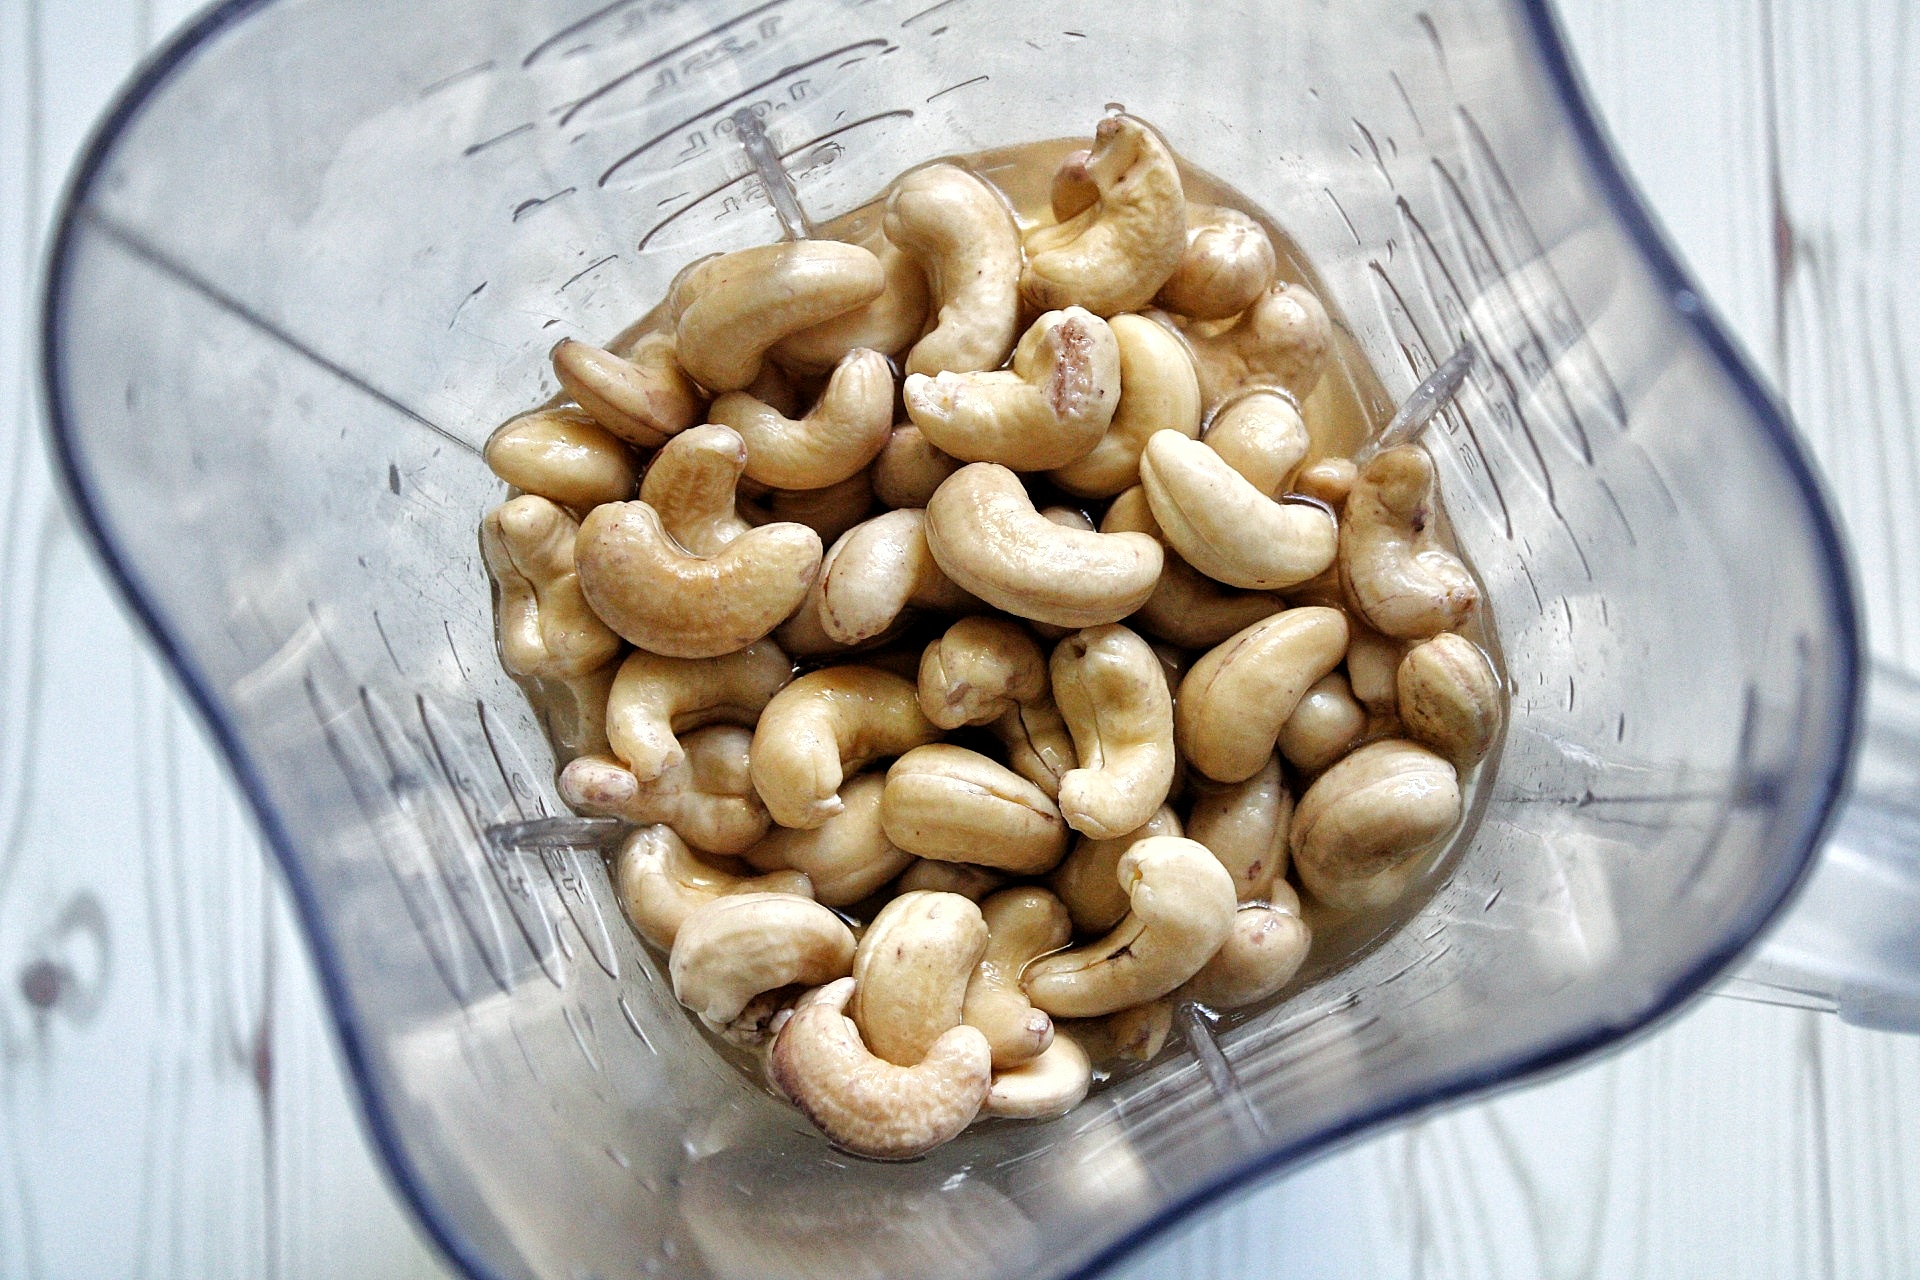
<point x="732" y="308"/>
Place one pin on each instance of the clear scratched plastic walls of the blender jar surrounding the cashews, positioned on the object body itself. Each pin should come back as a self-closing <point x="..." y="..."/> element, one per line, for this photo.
<point x="327" y="249"/>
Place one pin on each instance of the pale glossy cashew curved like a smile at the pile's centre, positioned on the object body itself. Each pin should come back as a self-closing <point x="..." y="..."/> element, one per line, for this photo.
<point x="984" y="531"/>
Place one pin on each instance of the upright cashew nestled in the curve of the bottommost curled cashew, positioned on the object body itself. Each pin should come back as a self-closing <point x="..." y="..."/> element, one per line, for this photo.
<point x="911" y="974"/>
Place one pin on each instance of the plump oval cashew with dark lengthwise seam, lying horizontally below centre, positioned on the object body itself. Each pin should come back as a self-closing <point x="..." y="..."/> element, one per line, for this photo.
<point x="957" y="805"/>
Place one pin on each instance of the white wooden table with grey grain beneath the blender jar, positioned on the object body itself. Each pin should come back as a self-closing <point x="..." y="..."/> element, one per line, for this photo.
<point x="170" y="1099"/>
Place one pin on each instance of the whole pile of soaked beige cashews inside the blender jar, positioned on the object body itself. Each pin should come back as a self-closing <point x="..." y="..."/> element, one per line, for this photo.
<point x="946" y="805"/>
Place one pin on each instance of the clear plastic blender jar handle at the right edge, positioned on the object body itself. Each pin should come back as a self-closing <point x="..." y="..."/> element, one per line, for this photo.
<point x="1852" y="941"/>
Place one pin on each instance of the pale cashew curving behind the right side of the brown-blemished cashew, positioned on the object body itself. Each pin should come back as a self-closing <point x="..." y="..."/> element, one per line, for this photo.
<point x="1159" y="391"/>
